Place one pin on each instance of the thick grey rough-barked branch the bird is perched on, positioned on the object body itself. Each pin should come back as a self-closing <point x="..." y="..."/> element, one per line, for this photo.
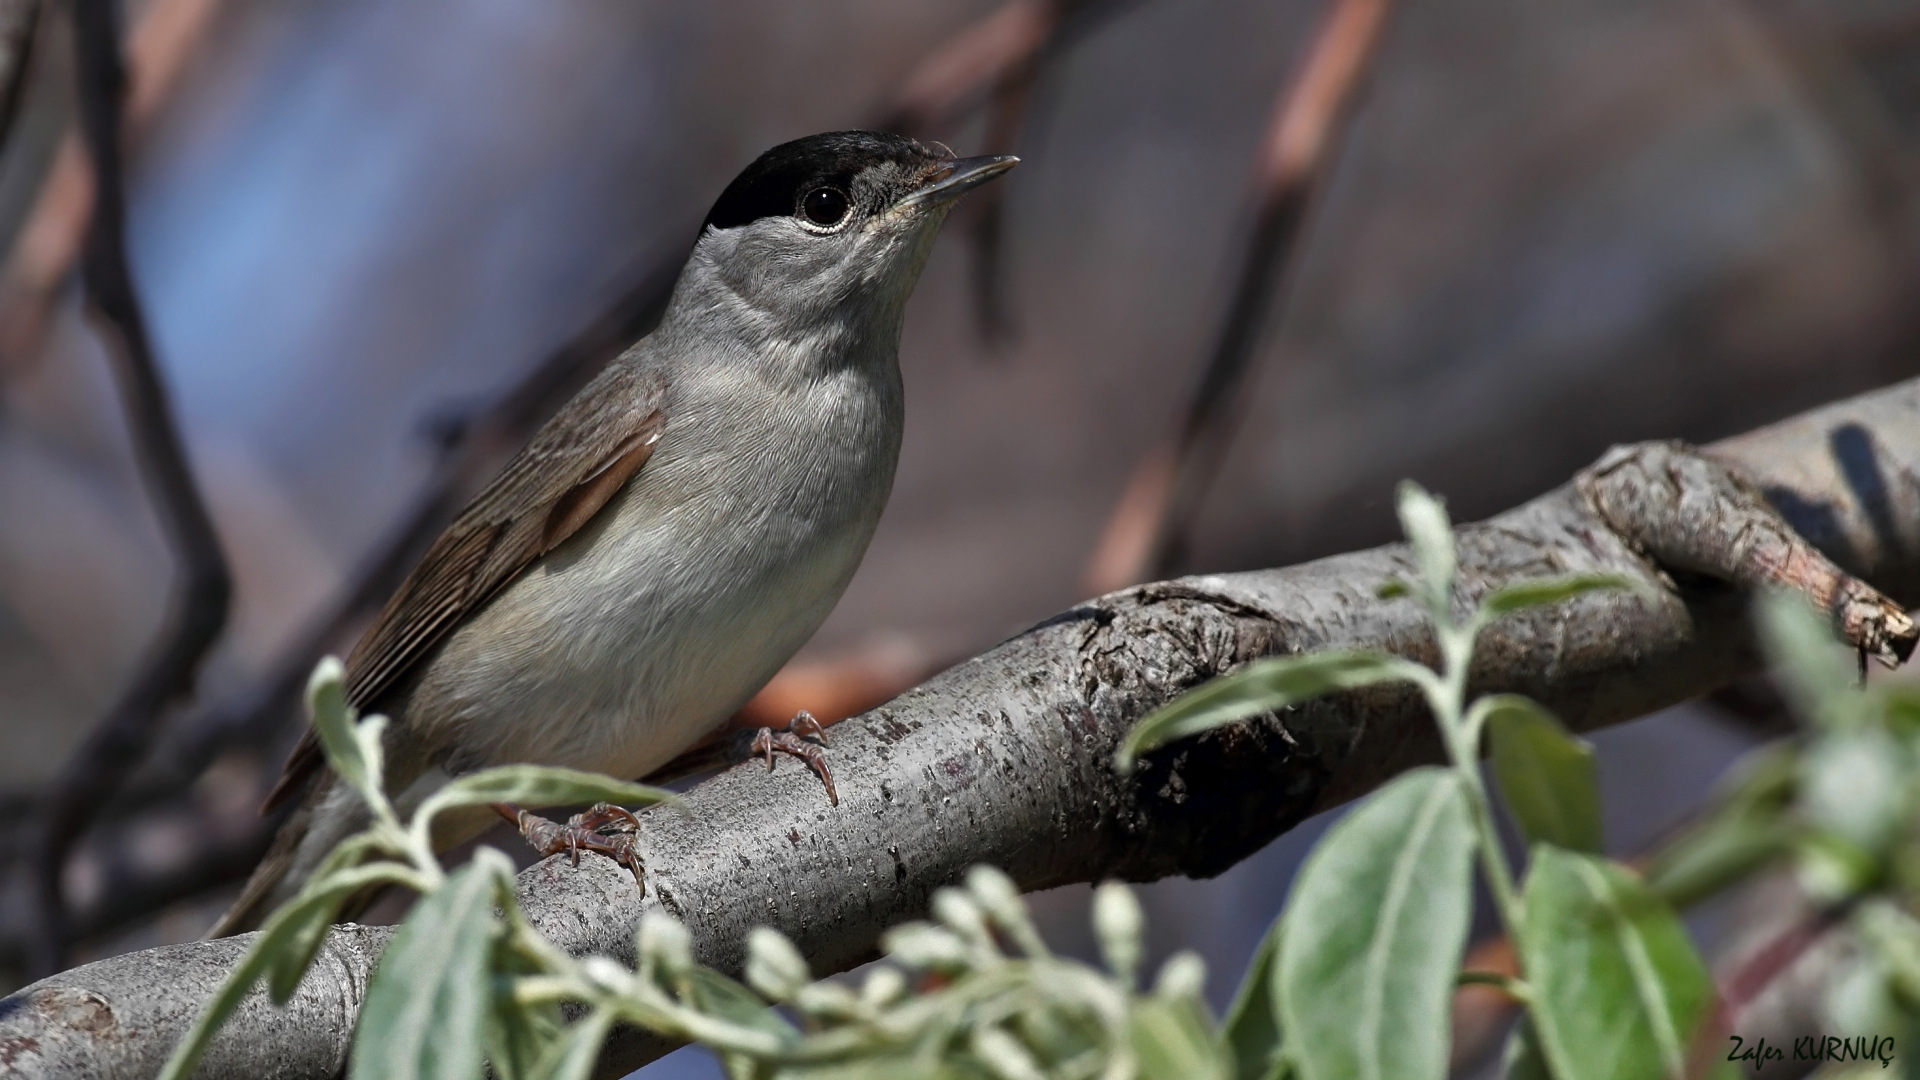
<point x="1005" y="758"/>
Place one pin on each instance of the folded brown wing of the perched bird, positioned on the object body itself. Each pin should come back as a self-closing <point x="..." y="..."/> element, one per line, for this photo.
<point x="554" y="487"/>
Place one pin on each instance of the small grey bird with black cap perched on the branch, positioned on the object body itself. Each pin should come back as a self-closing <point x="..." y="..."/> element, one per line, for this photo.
<point x="679" y="529"/>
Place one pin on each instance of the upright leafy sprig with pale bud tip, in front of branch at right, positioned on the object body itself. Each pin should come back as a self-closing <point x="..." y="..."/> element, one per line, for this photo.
<point x="1356" y="977"/>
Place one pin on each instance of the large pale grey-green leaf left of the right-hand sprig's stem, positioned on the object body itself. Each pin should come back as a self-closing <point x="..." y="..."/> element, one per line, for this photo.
<point x="1374" y="935"/>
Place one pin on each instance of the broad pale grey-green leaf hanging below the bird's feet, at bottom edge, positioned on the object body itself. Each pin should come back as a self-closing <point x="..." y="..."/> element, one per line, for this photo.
<point x="427" y="1008"/>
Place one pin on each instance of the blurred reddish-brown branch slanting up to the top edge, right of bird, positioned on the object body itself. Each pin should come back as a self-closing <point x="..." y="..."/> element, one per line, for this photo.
<point x="1149" y="528"/>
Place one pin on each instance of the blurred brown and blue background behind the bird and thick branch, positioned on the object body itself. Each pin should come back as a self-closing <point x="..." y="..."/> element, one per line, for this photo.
<point x="377" y="243"/>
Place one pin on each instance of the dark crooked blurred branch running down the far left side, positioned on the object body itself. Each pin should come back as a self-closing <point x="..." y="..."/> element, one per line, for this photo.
<point x="204" y="587"/>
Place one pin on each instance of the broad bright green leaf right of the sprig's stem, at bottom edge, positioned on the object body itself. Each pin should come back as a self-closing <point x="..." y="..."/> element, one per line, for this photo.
<point x="1618" y="985"/>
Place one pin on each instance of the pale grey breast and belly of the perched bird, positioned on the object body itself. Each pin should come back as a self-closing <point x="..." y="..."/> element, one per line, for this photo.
<point x="688" y="589"/>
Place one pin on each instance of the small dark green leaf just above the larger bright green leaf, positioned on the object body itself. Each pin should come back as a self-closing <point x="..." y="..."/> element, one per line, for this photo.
<point x="1545" y="773"/>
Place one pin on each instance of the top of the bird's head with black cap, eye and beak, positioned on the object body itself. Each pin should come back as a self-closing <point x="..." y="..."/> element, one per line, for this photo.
<point x="825" y="182"/>
